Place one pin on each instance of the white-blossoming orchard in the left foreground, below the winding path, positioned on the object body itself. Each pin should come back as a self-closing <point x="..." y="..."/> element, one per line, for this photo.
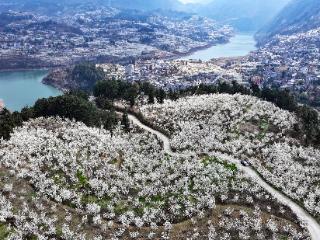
<point x="63" y="180"/>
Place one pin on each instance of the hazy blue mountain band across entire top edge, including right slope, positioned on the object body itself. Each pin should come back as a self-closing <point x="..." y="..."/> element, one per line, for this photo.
<point x="269" y="18"/>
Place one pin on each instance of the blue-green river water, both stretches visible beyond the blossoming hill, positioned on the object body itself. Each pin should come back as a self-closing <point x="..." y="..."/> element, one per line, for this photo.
<point x="22" y="88"/>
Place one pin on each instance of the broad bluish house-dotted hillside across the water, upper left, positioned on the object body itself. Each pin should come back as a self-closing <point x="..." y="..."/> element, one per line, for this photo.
<point x="102" y="34"/>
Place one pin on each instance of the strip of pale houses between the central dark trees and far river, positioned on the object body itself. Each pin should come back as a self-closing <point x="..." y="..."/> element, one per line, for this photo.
<point x="172" y="74"/>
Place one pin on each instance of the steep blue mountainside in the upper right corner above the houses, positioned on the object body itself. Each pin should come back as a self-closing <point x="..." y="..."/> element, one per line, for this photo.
<point x="297" y="16"/>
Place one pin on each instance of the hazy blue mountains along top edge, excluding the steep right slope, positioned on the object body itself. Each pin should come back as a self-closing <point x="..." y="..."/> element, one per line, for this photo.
<point x="244" y="15"/>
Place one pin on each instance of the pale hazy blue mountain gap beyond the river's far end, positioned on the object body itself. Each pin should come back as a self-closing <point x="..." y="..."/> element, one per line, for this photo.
<point x="244" y="15"/>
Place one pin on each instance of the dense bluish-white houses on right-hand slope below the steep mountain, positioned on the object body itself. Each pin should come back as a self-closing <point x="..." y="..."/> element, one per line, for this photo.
<point x="290" y="62"/>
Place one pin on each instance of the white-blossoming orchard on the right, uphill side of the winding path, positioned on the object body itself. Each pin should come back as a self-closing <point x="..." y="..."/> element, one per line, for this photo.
<point x="248" y="128"/>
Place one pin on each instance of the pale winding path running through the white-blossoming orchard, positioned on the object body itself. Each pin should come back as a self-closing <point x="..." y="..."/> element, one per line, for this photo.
<point x="311" y="224"/>
